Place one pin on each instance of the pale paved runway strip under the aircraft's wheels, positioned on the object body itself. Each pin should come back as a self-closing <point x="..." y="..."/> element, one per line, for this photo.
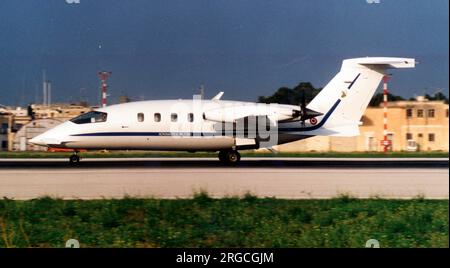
<point x="292" y="178"/>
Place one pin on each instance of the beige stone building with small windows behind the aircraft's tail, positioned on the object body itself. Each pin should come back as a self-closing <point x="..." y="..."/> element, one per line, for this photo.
<point x="419" y="125"/>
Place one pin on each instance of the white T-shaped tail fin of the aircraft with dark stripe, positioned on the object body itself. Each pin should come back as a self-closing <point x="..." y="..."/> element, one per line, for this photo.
<point x="345" y="98"/>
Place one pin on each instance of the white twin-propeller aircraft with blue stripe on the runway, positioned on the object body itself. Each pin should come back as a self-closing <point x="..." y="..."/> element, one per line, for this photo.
<point x="227" y="126"/>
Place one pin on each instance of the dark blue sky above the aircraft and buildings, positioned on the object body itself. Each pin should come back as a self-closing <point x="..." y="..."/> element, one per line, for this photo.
<point x="166" y="49"/>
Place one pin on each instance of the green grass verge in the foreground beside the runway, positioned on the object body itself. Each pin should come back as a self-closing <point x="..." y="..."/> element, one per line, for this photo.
<point x="229" y="222"/>
